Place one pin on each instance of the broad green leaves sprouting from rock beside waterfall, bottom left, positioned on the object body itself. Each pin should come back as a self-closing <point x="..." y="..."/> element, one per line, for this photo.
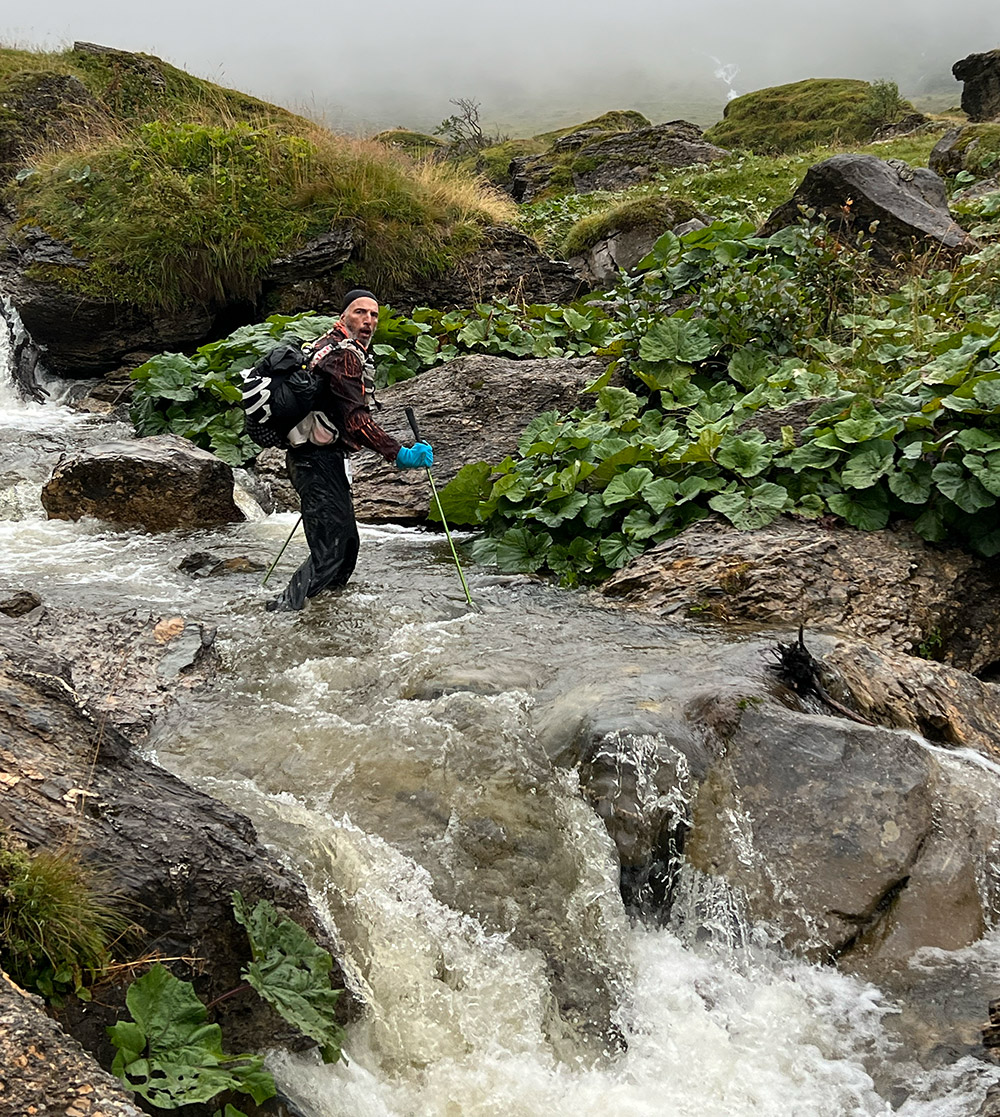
<point x="173" y="1056"/>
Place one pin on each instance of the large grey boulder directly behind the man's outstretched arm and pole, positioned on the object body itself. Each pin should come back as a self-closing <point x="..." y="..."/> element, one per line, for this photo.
<point x="472" y="409"/>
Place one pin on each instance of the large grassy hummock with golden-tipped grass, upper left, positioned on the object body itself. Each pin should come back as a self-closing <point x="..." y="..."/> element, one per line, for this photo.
<point x="186" y="193"/>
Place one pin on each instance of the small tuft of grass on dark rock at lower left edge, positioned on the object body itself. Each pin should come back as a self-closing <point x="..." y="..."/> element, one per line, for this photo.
<point x="54" y="928"/>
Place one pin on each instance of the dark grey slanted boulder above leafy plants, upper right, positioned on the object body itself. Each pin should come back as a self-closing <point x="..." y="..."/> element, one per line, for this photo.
<point x="901" y="208"/>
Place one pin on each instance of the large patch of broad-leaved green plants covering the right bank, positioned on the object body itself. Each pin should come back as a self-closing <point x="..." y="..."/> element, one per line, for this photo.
<point x="906" y="424"/>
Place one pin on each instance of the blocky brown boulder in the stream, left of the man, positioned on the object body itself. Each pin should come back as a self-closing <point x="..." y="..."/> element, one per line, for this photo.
<point x="158" y="484"/>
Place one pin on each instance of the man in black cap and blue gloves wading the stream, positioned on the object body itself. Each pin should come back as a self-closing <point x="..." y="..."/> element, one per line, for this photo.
<point x="322" y="443"/>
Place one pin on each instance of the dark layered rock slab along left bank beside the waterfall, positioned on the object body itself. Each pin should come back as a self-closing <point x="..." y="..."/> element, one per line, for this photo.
<point x="169" y="855"/>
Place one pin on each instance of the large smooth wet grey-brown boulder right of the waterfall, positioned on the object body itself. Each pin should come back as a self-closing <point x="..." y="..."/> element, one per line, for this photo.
<point x="818" y="824"/>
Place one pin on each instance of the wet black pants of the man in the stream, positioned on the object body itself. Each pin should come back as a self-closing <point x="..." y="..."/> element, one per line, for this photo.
<point x="320" y="478"/>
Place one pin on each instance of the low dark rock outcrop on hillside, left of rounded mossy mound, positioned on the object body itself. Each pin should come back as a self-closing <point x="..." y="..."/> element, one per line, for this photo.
<point x="611" y="163"/>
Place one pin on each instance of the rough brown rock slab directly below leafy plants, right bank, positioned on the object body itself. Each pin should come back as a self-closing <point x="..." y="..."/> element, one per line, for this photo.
<point x="891" y="589"/>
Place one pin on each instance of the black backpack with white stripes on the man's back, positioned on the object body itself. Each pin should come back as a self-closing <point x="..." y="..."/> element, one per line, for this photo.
<point x="279" y="393"/>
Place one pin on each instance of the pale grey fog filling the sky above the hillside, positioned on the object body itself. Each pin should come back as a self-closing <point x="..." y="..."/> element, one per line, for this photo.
<point x="529" y="65"/>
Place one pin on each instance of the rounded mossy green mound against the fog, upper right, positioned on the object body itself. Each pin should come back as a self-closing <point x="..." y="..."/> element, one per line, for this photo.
<point x="803" y="114"/>
